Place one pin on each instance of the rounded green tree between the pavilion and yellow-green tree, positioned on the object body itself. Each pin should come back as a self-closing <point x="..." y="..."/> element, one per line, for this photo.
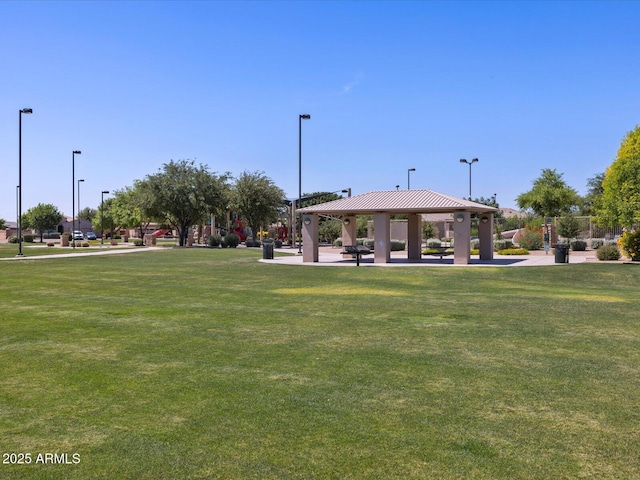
<point x="550" y="195"/>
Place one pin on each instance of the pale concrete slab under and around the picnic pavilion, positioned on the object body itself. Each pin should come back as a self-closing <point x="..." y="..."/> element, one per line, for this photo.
<point x="331" y="257"/>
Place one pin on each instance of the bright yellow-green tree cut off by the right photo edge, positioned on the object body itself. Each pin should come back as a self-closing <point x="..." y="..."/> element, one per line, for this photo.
<point x="620" y="202"/>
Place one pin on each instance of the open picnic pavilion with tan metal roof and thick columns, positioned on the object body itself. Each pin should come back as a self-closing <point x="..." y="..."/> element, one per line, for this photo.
<point x="413" y="203"/>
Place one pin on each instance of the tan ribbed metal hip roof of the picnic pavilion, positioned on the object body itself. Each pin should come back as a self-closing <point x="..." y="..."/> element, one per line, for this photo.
<point x="398" y="201"/>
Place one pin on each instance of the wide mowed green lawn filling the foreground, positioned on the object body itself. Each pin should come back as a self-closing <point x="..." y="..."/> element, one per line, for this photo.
<point x="200" y="363"/>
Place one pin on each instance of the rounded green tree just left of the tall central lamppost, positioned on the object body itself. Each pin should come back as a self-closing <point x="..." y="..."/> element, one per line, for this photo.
<point x="257" y="199"/>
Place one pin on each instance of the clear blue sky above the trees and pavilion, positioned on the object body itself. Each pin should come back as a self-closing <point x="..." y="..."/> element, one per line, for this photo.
<point x="389" y="86"/>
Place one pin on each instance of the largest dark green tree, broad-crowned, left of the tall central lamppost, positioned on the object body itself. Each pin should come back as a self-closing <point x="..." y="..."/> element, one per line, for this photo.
<point x="185" y="195"/>
